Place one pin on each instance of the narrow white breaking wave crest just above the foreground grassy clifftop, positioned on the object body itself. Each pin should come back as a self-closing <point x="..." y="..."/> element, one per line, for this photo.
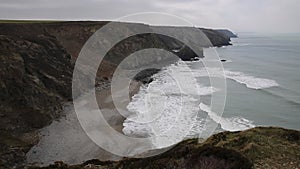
<point x="229" y="124"/>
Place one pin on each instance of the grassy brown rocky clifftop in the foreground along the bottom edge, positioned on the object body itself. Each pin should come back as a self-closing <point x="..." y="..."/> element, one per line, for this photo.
<point x="260" y="148"/>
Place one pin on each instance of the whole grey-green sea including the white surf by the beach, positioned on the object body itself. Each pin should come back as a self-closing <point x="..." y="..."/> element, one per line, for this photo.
<point x="263" y="89"/>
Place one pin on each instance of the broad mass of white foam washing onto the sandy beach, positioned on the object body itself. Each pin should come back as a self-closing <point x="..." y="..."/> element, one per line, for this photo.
<point x="167" y="108"/>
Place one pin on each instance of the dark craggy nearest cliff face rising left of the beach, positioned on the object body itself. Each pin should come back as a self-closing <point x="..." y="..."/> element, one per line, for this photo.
<point x="33" y="87"/>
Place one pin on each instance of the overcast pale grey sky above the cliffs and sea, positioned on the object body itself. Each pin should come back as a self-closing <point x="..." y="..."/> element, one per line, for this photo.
<point x="238" y="15"/>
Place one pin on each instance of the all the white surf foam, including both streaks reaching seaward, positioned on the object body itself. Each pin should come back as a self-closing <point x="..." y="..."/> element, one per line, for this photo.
<point x="168" y="108"/>
